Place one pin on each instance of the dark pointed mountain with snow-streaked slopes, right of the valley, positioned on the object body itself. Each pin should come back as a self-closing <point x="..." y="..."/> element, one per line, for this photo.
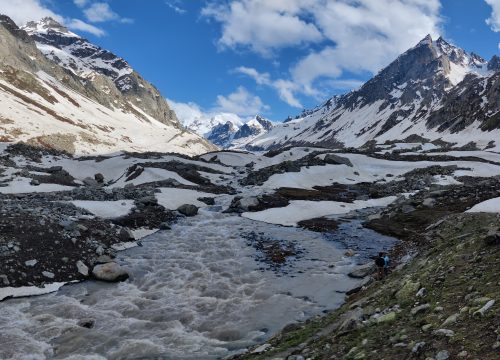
<point x="435" y="90"/>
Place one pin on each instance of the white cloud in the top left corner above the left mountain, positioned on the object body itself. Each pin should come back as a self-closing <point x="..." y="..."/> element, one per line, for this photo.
<point x="22" y="11"/>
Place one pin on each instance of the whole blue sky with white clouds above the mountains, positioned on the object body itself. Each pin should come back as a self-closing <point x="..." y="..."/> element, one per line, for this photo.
<point x="268" y="57"/>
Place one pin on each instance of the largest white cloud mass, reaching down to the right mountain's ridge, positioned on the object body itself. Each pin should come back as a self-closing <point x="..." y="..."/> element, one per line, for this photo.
<point x="349" y="36"/>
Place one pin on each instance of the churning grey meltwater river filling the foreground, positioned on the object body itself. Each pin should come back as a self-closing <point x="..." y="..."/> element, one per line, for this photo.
<point x="195" y="292"/>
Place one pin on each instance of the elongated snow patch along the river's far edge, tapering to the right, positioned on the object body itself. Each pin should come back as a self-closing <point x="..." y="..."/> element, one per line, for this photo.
<point x="299" y="210"/>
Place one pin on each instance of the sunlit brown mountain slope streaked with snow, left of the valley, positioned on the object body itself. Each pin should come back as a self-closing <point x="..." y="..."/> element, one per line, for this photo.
<point x="72" y="97"/>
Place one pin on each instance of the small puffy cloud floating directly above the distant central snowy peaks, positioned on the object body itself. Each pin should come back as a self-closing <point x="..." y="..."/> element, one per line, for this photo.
<point x="240" y="102"/>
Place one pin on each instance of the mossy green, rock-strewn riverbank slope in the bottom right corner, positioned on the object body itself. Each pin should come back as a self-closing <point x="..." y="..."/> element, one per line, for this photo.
<point x="443" y="304"/>
